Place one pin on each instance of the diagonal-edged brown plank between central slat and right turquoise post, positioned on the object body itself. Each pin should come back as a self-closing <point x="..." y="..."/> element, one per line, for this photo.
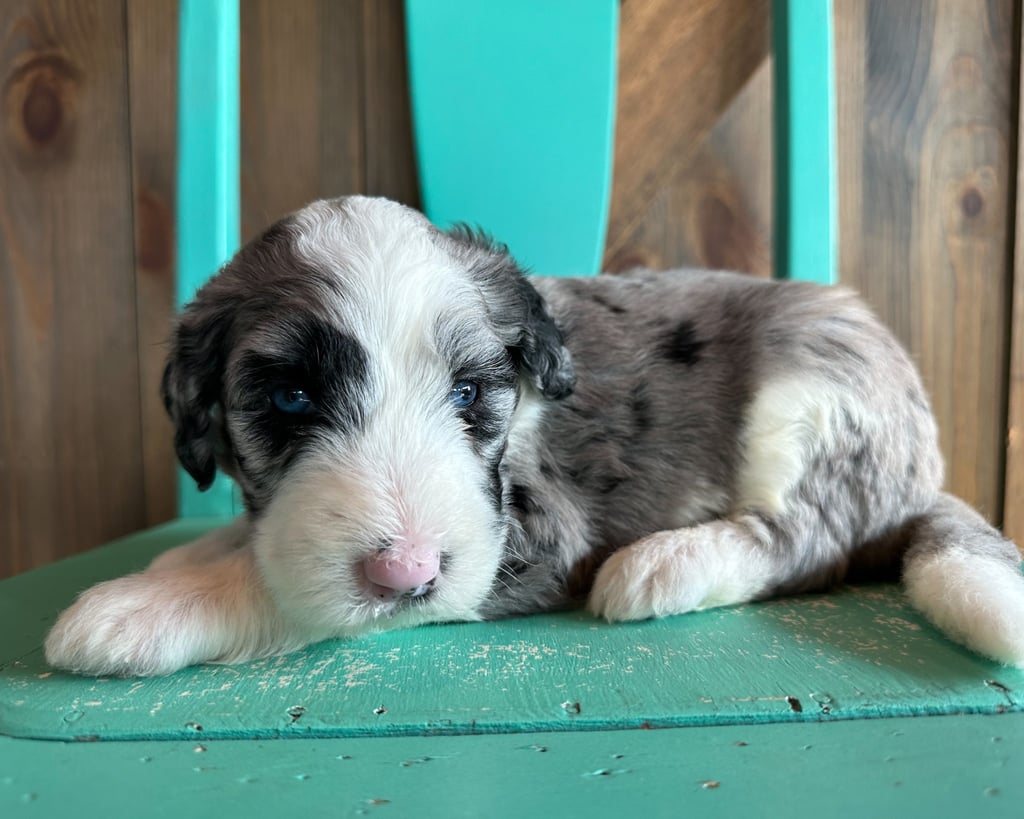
<point x="680" y="66"/>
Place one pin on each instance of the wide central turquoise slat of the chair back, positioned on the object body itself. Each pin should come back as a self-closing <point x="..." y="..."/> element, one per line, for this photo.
<point x="514" y="106"/>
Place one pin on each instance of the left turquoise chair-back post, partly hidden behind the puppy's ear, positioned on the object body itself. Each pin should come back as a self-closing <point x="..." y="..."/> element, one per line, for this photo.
<point x="208" y="204"/>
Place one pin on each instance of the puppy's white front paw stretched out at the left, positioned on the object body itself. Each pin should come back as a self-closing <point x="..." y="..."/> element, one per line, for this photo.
<point x="140" y="626"/>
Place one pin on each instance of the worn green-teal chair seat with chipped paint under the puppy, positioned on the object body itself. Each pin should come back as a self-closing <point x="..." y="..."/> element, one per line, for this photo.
<point x="523" y="717"/>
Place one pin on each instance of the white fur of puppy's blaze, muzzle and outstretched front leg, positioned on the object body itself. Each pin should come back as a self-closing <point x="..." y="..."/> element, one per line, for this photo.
<point x="301" y="579"/>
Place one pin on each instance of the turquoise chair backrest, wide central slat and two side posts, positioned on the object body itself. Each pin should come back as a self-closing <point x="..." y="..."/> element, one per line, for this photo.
<point x="515" y="133"/>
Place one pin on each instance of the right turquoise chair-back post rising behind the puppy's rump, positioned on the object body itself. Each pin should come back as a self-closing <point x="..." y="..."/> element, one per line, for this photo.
<point x="806" y="219"/>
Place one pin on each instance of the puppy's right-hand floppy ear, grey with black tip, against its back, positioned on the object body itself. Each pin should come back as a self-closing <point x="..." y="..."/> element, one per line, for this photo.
<point x="519" y="313"/>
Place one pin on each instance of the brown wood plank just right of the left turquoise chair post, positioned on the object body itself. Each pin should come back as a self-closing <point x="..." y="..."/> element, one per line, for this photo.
<point x="302" y="106"/>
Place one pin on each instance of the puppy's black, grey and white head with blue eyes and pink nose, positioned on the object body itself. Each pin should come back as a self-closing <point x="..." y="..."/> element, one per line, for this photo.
<point x="358" y="372"/>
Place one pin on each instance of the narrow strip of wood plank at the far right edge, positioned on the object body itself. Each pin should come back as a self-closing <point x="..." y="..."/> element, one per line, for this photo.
<point x="1013" y="505"/>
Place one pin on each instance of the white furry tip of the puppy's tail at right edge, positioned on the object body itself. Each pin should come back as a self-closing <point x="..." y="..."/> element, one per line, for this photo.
<point x="976" y="601"/>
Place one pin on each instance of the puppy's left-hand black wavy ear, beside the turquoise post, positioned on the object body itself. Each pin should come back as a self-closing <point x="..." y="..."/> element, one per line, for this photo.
<point x="192" y="389"/>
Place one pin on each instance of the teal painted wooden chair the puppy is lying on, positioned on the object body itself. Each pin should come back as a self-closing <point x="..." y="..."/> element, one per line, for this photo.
<point x="764" y="709"/>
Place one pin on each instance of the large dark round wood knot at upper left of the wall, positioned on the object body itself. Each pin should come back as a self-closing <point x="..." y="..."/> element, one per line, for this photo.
<point x="39" y="104"/>
